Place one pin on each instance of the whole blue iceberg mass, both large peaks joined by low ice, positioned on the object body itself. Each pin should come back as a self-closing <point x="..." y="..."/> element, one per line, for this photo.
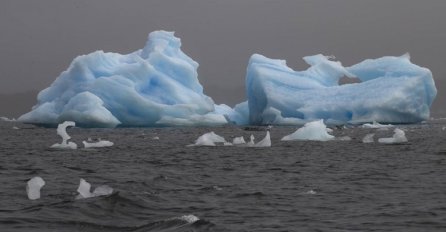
<point x="158" y="86"/>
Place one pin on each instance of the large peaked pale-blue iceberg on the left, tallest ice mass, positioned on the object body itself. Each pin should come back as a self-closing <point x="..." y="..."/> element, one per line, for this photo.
<point x="154" y="86"/>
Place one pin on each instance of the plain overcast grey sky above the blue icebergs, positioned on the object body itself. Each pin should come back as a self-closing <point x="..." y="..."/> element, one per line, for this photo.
<point x="39" y="39"/>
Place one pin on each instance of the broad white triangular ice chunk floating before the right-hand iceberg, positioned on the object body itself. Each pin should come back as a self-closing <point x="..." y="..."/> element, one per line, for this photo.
<point x="315" y="130"/>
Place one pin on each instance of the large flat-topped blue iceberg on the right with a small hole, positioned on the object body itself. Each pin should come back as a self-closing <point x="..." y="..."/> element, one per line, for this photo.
<point x="393" y="90"/>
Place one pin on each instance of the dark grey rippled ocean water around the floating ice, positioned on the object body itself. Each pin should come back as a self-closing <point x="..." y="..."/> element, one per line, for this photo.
<point x="164" y="185"/>
